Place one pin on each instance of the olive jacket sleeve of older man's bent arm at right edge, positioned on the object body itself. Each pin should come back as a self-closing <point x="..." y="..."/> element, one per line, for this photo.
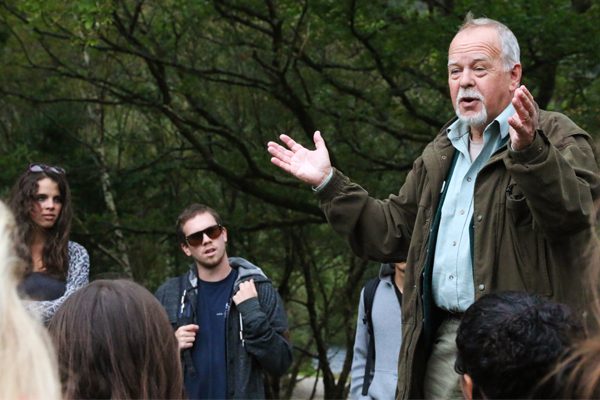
<point x="558" y="176"/>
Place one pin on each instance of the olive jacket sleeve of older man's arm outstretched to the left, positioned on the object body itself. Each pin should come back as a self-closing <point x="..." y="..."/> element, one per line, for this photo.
<point x="378" y="230"/>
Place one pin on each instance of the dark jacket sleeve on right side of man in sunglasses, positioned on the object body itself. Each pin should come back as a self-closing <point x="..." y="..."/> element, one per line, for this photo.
<point x="265" y="330"/>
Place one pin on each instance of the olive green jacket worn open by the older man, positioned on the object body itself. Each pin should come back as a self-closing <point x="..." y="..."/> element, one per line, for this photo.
<point x="533" y="226"/>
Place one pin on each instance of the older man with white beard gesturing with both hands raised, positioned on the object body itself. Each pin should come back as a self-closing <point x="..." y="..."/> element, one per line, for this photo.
<point x="502" y="199"/>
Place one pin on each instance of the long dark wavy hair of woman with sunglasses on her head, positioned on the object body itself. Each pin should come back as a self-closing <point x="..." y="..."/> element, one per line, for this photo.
<point x="55" y="255"/>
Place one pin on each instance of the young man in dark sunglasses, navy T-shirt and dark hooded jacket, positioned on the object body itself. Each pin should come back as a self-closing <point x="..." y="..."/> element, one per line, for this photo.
<point x="229" y="320"/>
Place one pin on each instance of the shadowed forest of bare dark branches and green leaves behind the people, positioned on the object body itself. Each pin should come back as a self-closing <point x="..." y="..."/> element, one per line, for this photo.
<point x="153" y="105"/>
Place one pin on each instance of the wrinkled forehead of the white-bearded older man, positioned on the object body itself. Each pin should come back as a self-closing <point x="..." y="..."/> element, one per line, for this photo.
<point x="481" y="42"/>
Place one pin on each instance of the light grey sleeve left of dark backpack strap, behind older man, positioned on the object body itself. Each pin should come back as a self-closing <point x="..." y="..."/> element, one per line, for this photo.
<point x="359" y="359"/>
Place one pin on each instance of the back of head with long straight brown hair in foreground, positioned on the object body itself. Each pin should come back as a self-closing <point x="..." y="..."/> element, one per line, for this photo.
<point x="114" y="340"/>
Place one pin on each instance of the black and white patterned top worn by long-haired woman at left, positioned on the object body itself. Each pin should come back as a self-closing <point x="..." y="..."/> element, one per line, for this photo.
<point x="78" y="276"/>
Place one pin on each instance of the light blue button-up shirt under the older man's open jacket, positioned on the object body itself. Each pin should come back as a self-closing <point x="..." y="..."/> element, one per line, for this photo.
<point x="453" y="287"/>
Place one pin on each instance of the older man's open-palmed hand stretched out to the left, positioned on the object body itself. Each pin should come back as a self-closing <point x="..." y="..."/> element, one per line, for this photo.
<point x="310" y="166"/>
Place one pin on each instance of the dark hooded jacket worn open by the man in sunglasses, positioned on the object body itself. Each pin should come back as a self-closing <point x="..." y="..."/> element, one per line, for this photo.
<point x="256" y="329"/>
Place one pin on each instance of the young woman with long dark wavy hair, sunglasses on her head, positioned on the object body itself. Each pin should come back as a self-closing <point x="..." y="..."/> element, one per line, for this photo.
<point x="57" y="267"/>
